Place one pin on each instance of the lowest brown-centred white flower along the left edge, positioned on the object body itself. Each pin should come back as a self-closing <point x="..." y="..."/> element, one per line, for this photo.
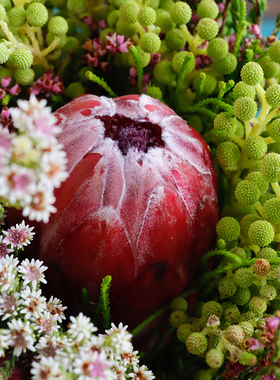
<point x="20" y="336"/>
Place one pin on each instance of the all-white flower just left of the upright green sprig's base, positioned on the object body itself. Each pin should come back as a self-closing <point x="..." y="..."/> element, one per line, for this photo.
<point x="81" y="328"/>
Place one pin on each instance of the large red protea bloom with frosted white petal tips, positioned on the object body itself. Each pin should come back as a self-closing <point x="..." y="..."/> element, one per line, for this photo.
<point x="139" y="204"/>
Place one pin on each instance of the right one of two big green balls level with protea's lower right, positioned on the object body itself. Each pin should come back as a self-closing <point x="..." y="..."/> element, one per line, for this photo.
<point x="261" y="233"/>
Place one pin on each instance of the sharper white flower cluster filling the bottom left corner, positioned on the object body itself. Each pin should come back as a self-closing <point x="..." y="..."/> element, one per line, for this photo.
<point x="31" y="324"/>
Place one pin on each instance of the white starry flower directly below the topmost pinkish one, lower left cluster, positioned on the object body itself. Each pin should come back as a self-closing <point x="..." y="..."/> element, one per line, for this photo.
<point x="32" y="272"/>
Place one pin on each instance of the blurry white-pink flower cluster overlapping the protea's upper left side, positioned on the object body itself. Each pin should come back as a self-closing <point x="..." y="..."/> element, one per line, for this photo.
<point x="32" y="163"/>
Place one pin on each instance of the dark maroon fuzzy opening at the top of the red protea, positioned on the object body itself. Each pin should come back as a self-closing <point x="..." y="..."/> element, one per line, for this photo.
<point x="129" y="133"/>
